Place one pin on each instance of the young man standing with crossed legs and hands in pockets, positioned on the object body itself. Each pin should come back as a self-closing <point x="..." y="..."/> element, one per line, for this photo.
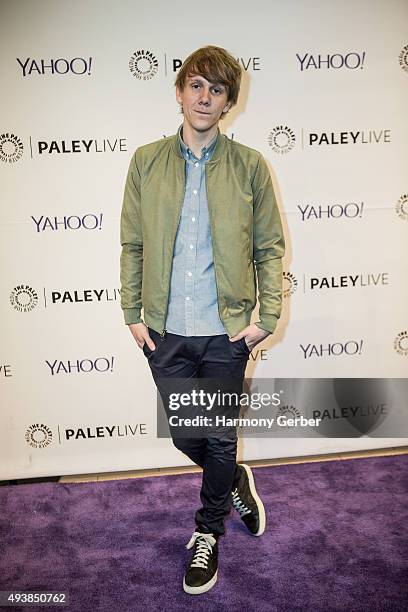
<point x="200" y="229"/>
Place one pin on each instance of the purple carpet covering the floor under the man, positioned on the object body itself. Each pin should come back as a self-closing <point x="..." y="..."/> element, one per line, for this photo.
<point x="336" y="539"/>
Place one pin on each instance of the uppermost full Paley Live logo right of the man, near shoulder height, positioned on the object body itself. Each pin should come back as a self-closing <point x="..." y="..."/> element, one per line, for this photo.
<point x="282" y="138"/>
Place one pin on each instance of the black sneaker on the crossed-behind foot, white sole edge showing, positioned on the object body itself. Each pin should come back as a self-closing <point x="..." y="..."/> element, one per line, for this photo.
<point x="246" y="501"/>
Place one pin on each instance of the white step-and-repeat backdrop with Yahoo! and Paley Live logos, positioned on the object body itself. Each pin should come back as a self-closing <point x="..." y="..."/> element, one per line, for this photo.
<point x="324" y="98"/>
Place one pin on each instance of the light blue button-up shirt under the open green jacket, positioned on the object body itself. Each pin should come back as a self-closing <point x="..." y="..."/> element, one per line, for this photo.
<point x="193" y="309"/>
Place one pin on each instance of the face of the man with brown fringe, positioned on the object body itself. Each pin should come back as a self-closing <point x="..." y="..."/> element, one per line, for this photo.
<point x="203" y="102"/>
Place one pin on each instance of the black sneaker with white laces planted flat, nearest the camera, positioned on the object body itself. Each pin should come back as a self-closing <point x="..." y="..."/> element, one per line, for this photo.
<point x="201" y="574"/>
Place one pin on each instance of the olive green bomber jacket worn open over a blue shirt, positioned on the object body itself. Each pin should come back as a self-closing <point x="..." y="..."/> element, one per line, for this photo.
<point x="246" y="231"/>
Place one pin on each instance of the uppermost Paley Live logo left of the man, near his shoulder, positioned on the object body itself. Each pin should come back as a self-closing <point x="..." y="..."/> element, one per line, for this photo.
<point x="12" y="148"/>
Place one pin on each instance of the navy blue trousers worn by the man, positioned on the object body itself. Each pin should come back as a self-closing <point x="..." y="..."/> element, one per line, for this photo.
<point x="213" y="358"/>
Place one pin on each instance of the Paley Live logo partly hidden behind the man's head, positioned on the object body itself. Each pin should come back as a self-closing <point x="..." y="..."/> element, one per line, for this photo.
<point x="144" y="64"/>
